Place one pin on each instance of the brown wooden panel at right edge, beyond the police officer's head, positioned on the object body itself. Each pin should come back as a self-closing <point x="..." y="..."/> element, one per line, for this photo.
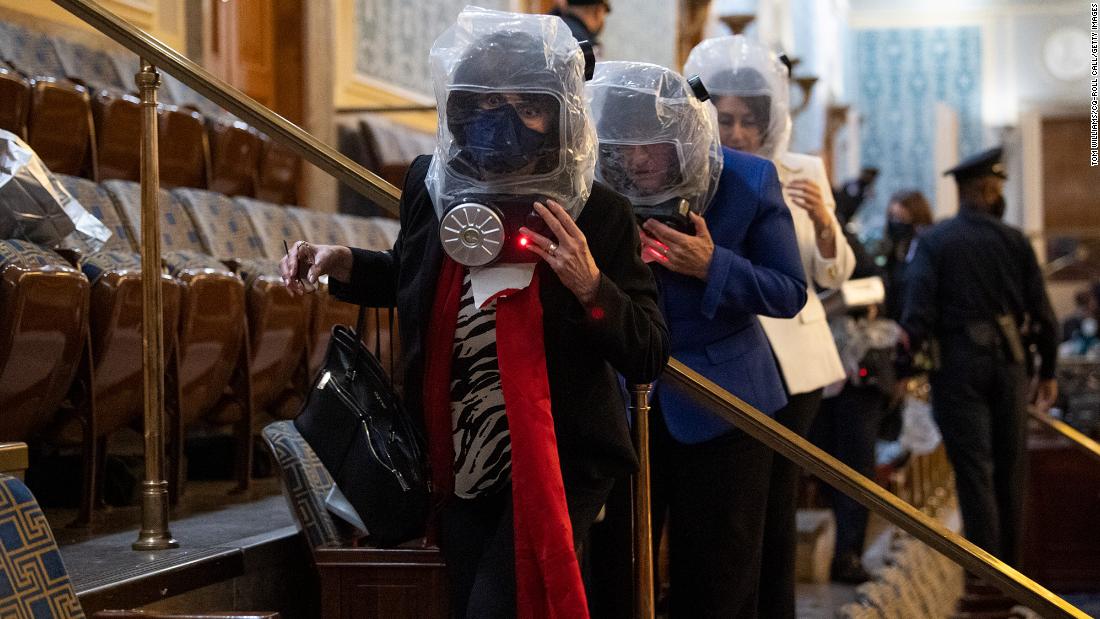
<point x="1071" y="201"/>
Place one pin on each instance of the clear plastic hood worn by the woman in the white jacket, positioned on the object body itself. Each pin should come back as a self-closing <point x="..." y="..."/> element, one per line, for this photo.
<point x="734" y="67"/>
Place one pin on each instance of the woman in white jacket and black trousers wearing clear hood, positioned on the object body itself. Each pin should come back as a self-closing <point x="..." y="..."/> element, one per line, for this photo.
<point x="750" y="87"/>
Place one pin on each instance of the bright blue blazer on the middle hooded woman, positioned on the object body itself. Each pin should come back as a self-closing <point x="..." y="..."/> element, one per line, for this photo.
<point x="756" y="270"/>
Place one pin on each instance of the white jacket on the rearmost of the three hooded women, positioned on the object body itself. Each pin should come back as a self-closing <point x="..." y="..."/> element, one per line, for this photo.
<point x="805" y="345"/>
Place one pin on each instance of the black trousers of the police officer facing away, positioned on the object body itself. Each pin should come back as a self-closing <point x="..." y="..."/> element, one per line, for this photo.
<point x="980" y="402"/>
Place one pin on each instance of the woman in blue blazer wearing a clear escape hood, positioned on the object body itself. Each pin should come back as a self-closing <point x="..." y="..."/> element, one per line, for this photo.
<point x="723" y="244"/>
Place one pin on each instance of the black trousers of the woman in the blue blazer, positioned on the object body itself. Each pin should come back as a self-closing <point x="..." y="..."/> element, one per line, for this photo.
<point x="714" y="495"/>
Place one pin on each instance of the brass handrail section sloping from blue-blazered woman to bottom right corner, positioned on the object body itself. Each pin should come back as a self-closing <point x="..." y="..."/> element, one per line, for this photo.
<point x="870" y="494"/>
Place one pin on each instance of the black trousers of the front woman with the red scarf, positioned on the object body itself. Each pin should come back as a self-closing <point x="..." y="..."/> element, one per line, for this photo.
<point x="478" y="541"/>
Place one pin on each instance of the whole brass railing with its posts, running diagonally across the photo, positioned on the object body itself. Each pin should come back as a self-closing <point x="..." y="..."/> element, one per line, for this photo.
<point x="157" y="56"/>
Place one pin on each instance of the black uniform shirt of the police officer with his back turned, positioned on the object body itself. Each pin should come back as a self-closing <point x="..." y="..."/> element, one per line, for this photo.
<point x="972" y="269"/>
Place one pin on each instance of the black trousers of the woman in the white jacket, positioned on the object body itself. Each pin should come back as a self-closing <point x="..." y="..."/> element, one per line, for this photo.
<point x="780" y="534"/>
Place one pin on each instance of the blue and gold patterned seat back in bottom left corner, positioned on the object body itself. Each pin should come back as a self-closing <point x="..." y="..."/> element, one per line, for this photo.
<point x="34" y="581"/>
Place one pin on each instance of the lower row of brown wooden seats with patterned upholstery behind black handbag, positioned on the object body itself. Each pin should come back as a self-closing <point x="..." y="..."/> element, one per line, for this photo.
<point x="237" y="344"/>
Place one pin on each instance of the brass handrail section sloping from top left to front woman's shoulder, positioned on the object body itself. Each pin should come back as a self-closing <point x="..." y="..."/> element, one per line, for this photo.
<point x="283" y="131"/>
